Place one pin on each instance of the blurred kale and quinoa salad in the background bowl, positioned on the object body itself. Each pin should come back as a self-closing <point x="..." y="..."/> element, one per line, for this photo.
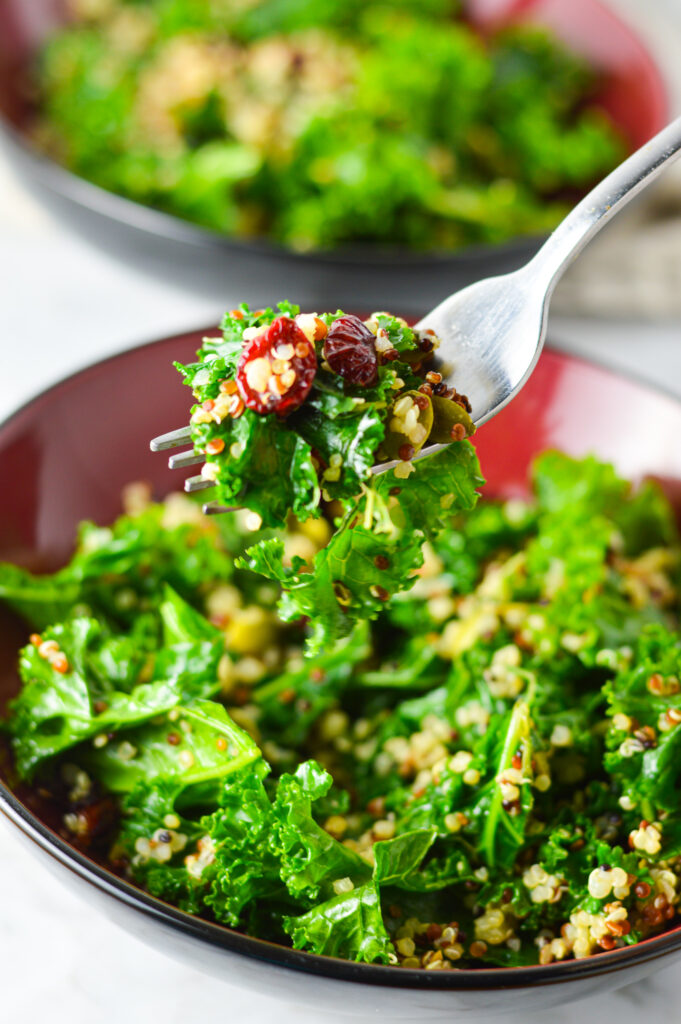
<point x="321" y="124"/>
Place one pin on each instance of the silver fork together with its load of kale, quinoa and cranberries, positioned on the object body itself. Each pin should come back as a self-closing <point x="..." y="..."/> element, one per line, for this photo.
<point x="292" y="406"/>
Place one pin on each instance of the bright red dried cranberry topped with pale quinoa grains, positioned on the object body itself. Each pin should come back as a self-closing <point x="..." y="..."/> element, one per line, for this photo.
<point x="277" y="368"/>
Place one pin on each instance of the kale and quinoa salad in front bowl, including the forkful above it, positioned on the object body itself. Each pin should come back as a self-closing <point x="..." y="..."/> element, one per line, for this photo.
<point x="399" y="727"/>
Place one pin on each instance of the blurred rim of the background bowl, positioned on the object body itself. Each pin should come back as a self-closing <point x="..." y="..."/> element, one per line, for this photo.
<point x="65" y="184"/>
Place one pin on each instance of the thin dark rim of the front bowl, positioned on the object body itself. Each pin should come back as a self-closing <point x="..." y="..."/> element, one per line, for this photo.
<point x="269" y="953"/>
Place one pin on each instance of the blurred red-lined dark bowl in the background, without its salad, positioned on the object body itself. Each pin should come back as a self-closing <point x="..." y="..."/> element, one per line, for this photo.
<point x="633" y="94"/>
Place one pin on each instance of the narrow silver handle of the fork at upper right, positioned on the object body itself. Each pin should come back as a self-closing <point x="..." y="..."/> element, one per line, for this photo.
<point x="602" y="204"/>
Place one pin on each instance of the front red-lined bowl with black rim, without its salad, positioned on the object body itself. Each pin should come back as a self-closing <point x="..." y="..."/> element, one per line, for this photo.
<point x="66" y="457"/>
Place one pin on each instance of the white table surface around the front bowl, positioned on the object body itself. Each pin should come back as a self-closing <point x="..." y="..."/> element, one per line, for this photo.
<point x="63" y="304"/>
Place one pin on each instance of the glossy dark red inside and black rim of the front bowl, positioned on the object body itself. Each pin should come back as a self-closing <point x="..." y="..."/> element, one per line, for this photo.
<point x="69" y="453"/>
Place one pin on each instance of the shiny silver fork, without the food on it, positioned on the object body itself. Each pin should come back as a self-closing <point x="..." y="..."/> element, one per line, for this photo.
<point x="492" y="333"/>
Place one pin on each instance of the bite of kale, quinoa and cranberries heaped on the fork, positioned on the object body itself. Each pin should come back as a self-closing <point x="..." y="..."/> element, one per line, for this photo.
<point x="292" y="406"/>
